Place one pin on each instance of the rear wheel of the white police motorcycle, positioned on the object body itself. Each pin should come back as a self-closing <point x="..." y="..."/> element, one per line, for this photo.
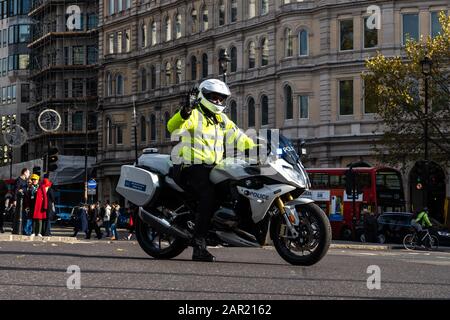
<point x="157" y="245"/>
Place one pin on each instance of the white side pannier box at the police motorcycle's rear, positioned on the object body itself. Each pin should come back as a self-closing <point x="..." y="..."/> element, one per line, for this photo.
<point x="137" y="185"/>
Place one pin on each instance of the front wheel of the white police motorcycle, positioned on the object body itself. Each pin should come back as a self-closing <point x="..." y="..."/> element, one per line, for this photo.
<point x="314" y="237"/>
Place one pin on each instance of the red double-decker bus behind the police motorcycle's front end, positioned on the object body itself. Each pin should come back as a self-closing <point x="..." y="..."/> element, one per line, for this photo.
<point x="382" y="191"/>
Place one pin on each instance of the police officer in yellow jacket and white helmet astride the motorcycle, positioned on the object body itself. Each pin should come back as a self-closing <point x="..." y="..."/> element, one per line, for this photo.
<point x="204" y="128"/>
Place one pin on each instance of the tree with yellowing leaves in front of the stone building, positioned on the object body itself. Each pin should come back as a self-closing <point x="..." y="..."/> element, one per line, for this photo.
<point x="395" y="88"/>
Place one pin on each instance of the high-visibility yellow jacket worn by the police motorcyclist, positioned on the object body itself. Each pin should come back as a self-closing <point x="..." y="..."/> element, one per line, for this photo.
<point x="202" y="140"/>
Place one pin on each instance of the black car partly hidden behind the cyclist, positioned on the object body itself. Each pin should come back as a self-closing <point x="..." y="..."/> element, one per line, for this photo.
<point x="393" y="226"/>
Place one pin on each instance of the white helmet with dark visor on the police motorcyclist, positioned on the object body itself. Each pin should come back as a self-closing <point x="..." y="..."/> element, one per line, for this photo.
<point x="212" y="94"/>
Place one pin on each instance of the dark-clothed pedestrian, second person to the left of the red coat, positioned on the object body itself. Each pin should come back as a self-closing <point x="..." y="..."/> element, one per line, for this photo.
<point x="21" y="186"/>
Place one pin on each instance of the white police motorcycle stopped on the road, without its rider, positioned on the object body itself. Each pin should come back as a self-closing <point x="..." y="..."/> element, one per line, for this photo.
<point x="250" y="199"/>
